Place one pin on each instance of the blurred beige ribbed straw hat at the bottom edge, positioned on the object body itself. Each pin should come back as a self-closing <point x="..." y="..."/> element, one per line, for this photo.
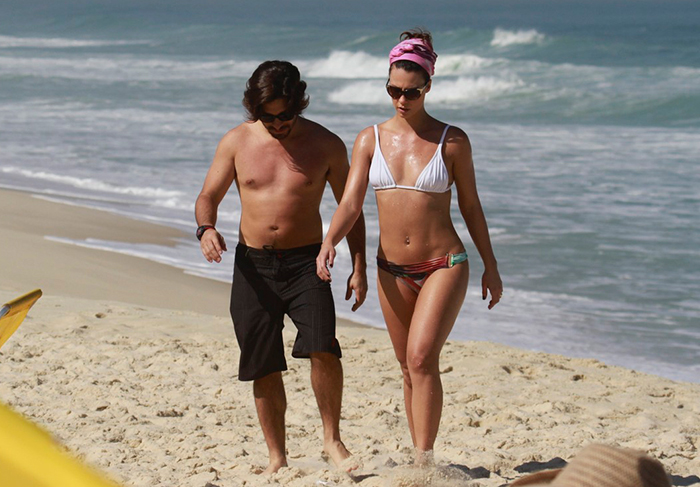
<point x="603" y="466"/>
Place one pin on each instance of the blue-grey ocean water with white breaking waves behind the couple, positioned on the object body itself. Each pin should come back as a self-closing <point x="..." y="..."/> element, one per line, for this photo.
<point x="584" y="118"/>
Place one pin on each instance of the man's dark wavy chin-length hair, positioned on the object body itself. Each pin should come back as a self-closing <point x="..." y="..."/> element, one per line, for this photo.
<point x="271" y="81"/>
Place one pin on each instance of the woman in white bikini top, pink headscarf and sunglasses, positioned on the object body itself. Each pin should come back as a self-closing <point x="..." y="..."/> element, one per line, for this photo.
<point x="412" y="160"/>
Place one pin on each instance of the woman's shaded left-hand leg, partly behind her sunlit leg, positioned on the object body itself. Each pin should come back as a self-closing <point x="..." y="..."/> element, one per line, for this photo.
<point x="397" y="302"/>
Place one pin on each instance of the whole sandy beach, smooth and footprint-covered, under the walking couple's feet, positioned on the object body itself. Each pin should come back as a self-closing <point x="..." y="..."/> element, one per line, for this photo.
<point x="132" y="365"/>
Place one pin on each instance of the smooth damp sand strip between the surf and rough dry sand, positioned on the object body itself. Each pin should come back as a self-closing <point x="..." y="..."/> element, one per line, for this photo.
<point x="27" y="219"/>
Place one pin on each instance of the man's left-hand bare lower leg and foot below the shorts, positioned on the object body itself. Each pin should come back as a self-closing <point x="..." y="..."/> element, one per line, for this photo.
<point x="271" y="404"/>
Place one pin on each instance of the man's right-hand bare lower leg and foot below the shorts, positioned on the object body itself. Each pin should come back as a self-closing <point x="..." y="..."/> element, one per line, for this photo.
<point x="327" y="383"/>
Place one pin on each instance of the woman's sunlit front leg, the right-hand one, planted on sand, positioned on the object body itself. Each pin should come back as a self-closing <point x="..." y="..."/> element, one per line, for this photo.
<point x="434" y="315"/>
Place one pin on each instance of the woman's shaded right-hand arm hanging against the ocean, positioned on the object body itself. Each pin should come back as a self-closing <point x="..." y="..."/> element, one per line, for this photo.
<point x="459" y="150"/>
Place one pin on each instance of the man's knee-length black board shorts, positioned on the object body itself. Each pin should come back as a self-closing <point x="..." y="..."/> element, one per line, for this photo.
<point x="267" y="284"/>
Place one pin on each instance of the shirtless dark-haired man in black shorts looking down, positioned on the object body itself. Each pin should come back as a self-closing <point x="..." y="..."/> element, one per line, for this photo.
<point x="281" y="162"/>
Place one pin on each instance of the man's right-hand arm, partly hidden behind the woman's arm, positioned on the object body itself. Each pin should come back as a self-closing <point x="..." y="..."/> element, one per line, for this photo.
<point x="338" y="169"/>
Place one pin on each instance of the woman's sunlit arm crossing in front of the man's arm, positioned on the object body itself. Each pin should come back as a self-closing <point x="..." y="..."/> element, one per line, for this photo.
<point x="350" y="205"/>
